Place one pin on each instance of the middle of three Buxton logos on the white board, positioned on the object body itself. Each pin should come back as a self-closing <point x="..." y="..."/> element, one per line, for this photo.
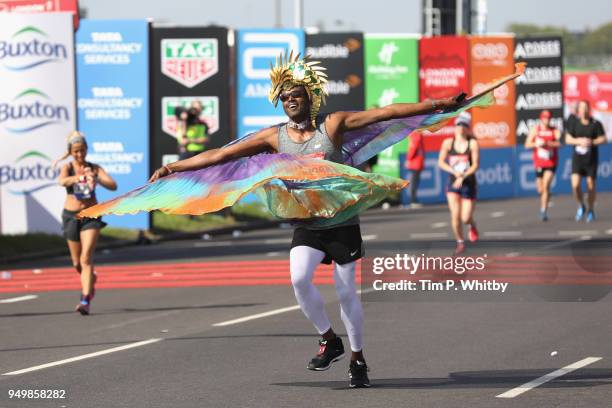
<point x="30" y="110"/>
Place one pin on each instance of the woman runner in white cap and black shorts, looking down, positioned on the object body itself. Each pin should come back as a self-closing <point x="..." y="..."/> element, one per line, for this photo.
<point x="460" y="157"/>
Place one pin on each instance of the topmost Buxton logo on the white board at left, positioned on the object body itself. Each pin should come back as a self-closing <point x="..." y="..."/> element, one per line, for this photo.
<point x="28" y="48"/>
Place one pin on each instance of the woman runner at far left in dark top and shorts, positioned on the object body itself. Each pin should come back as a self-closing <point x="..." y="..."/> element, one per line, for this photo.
<point x="80" y="178"/>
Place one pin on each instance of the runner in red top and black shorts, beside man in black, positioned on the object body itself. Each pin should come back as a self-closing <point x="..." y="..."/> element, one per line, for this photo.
<point x="544" y="139"/>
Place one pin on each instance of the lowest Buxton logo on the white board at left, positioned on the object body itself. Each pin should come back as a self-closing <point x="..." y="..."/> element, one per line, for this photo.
<point x="29" y="173"/>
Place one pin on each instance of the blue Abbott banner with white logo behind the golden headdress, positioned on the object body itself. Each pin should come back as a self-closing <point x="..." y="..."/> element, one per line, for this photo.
<point x="256" y="50"/>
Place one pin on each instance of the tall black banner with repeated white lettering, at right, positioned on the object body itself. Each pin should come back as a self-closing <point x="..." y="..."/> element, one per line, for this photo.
<point x="541" y="87"/>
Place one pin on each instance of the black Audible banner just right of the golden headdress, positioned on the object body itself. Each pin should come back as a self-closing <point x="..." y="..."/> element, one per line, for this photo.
<point x="342" y="55"/>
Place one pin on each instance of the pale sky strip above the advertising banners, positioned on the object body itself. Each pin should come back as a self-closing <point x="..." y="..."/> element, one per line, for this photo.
<point x="378" y="16"/>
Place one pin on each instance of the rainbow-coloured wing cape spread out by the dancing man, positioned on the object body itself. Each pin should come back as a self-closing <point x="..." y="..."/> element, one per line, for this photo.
<point x="289" y="186"/>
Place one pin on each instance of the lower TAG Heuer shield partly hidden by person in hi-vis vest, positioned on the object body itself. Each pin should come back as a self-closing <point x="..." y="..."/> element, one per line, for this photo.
<point x="210" y="112"/>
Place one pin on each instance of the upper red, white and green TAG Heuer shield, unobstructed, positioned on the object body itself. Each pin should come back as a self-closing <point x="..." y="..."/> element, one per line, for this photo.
<point x="190" y="61"/>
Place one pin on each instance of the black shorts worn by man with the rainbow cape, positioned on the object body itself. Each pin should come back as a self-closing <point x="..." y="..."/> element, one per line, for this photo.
<point x="341" y="245"/>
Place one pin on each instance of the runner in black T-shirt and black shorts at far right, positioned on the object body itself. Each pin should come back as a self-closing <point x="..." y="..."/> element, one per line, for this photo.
<point x="585" y="134"/>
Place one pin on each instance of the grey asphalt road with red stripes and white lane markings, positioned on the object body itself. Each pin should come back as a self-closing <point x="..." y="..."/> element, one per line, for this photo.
<point x="173" y="326"/>
